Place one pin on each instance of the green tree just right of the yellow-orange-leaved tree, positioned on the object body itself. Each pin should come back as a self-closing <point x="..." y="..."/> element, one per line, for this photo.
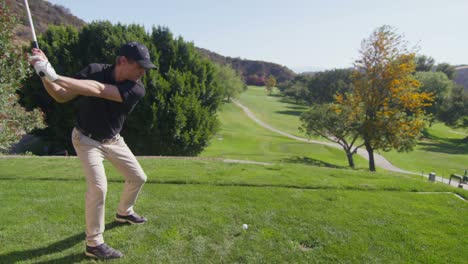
<point x="437" y="84"/>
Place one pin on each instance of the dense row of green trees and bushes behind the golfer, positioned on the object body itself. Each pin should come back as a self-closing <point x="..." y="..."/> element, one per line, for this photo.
<point x="176" y="117"/>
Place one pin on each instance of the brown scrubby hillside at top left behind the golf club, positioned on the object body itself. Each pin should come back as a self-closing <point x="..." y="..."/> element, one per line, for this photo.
<point x="44" y="14"/>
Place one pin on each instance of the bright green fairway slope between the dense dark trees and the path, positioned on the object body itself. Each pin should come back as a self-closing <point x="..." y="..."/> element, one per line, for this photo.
<point x="242" y="138"/>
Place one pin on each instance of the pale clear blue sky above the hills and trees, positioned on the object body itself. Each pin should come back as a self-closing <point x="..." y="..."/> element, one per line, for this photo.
<point x="299" y="34"/>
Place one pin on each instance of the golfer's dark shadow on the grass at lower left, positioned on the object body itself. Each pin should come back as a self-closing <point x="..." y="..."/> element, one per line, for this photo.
<point x="30" y="254"/>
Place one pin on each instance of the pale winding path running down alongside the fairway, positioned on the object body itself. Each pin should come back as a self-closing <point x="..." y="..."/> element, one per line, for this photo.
<point x="380" y="161"/>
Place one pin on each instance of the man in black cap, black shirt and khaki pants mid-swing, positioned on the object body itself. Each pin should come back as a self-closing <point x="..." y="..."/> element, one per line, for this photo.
<point x="107" y="94"/>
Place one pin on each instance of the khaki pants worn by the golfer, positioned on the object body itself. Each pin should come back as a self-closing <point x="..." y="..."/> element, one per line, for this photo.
<point x="92" y="153"/>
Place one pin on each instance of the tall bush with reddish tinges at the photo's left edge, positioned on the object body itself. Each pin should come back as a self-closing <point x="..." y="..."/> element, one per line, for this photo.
<point x="15" y="121"/>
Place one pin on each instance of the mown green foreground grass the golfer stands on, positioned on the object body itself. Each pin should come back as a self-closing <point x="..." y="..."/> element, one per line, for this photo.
<point x="296" y="214"/>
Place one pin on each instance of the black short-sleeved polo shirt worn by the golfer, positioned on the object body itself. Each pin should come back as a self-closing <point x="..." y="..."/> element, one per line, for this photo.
<point x="103" y="118"/>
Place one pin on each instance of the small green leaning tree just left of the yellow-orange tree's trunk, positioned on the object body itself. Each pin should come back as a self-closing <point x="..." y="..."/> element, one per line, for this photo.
<point x="333" y="123"/>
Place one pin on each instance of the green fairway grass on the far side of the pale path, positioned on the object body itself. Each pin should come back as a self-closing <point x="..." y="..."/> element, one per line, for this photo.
<point x="441" y="151"/>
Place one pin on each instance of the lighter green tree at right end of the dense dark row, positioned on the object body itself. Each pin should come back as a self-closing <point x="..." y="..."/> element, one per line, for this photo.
<point x="230" y="81"/>
